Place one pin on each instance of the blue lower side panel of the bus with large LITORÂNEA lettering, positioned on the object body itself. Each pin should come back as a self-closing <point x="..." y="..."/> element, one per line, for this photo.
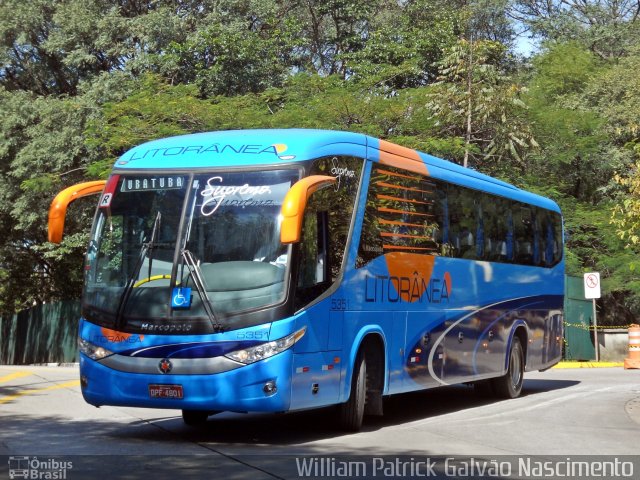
<point x="422" y="337"/>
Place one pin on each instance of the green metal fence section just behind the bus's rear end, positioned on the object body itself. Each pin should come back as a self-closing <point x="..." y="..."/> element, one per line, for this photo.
<point x="578" y="317"/>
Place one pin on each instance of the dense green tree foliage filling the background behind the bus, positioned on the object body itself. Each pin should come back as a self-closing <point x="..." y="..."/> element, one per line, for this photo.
<point x="81" y="81"/>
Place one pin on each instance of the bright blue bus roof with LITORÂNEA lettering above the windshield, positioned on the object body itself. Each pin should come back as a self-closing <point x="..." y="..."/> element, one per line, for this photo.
<point x="241" y="148"/>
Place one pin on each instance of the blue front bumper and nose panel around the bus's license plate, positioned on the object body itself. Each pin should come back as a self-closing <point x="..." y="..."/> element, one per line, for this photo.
<point x="240" y="389"/>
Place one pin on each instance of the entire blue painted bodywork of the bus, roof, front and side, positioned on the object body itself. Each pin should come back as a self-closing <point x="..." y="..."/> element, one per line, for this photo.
<point x="441" y="320"/>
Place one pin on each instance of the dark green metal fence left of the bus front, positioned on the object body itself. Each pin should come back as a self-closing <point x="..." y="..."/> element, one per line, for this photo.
<point x="42" y="334"/>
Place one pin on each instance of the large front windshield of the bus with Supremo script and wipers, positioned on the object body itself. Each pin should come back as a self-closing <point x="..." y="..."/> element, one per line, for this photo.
<point x="217" y="234"/>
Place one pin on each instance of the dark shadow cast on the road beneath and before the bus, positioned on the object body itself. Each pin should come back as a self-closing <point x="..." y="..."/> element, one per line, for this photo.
<point x="138" y="432"/>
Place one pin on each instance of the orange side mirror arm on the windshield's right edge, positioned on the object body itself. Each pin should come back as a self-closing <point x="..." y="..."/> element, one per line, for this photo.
<point x="294" y="204"/>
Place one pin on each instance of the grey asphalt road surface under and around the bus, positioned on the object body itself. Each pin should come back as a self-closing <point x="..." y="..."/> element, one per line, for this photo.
<point x="565" y="412"/>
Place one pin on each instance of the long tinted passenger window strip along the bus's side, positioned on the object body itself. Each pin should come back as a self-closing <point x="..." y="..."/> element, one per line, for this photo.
<point x="408" y="212"/>
